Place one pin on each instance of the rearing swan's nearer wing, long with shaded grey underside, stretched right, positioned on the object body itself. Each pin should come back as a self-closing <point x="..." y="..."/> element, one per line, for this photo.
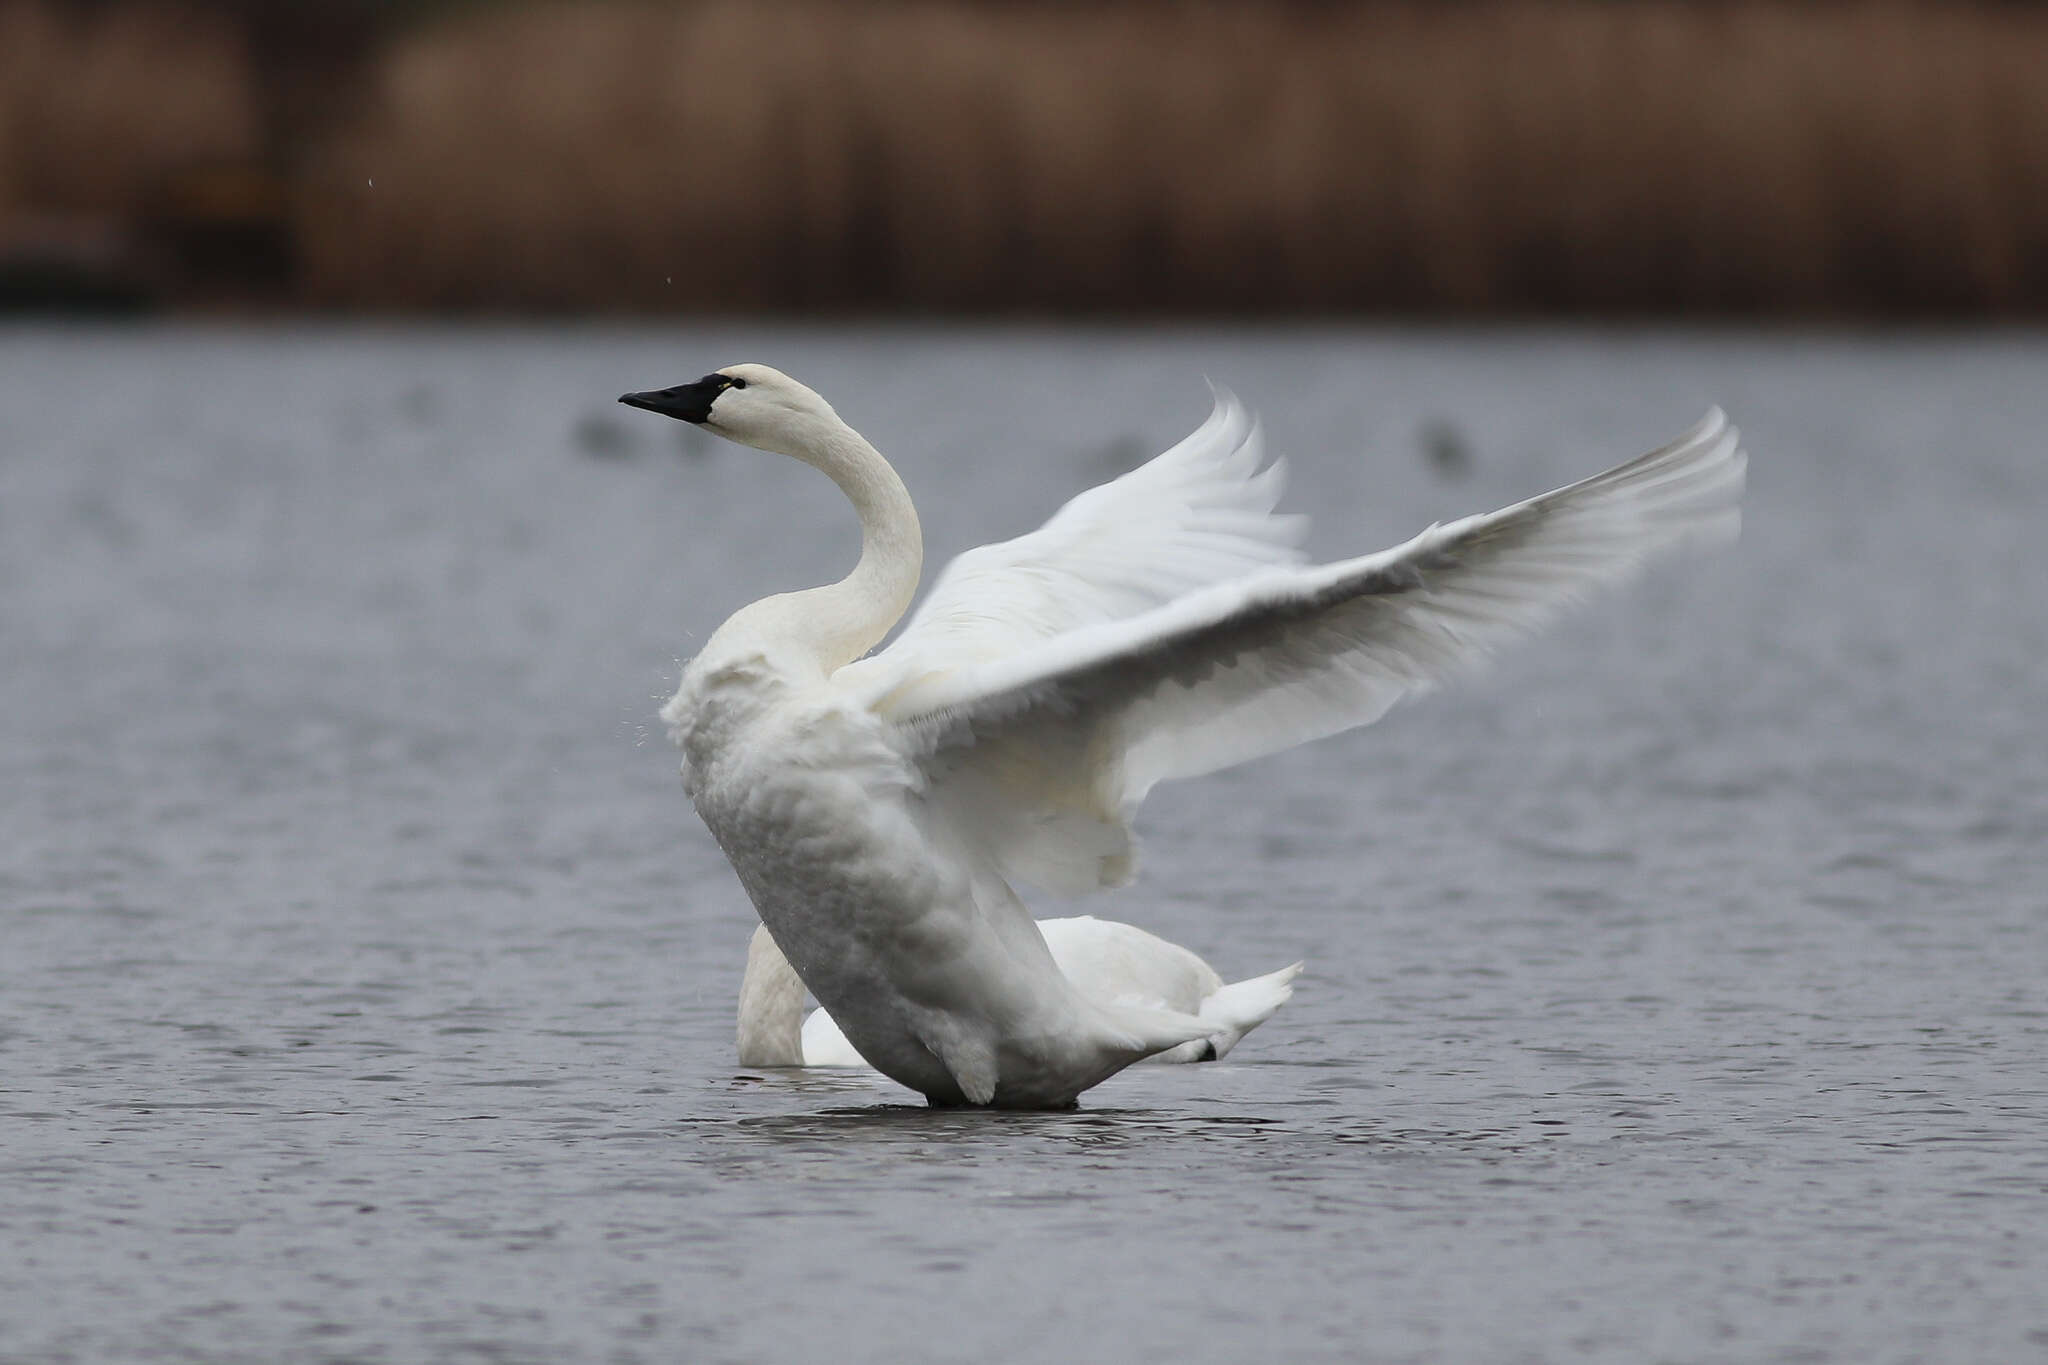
<point x="1046" y="754"/>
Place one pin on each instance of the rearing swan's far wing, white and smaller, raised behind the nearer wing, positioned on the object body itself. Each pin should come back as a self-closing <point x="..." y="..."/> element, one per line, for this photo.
<point x="1199" y="515"/>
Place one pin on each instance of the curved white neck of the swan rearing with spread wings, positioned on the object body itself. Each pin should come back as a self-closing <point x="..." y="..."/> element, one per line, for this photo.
<point x="843" y="621"/>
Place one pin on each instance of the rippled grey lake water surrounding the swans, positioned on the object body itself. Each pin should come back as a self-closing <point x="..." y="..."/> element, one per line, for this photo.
<point x="1676" y="994"/>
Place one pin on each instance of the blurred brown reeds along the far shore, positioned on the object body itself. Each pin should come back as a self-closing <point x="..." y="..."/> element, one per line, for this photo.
<point x="1756" y="159"/>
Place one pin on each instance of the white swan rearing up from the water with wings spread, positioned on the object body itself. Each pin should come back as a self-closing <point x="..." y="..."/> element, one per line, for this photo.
<point x="880" y="807"/>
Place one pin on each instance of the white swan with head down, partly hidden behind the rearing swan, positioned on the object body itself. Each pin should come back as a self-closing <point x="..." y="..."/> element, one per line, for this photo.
<point x="1105" y="959"/>
